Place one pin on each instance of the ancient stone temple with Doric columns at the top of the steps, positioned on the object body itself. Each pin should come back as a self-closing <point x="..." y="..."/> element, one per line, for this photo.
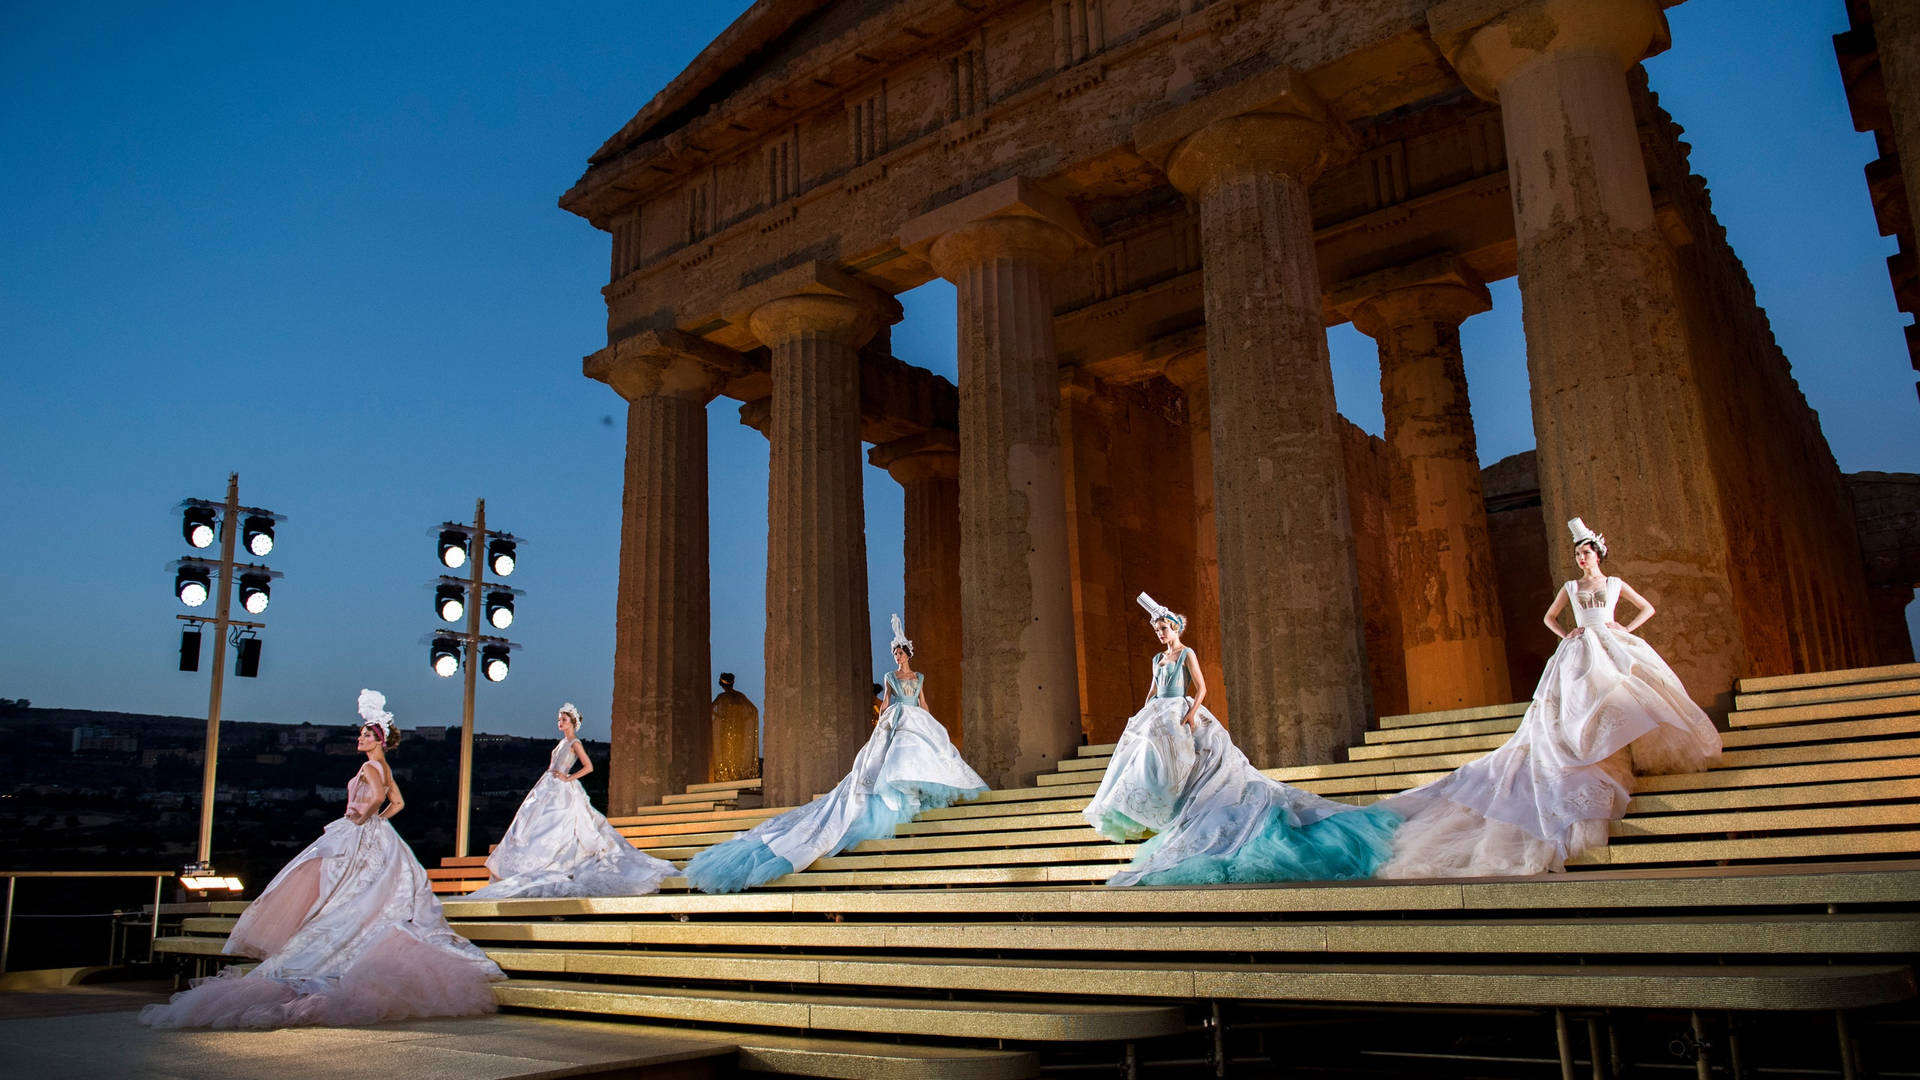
<point x="1153" y="212"/>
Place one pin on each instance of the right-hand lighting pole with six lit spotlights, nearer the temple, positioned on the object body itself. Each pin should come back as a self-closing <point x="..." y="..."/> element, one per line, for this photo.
<point x="464" y="601"/>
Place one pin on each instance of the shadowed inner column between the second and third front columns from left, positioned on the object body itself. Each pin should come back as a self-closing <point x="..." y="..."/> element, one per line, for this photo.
<point x="928" y="468"/>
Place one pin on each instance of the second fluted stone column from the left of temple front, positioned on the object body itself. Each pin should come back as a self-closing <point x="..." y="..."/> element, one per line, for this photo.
<point x="819" y="662"/>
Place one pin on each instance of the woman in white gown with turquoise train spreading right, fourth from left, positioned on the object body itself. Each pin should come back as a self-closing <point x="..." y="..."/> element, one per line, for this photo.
<point x="1212" y="816"/>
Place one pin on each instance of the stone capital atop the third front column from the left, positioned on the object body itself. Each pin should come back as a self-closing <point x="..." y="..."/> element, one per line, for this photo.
<point x="1015" y="218"/>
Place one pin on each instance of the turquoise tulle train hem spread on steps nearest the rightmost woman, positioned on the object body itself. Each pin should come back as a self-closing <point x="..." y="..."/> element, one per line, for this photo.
<point x="1333" y="848"/>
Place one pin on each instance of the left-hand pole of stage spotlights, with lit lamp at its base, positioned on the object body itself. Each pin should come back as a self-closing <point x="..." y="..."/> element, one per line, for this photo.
<point x="195" y="583"/>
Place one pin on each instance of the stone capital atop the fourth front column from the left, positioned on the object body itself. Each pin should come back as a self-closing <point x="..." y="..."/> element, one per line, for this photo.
<point x="1268" y="122"/>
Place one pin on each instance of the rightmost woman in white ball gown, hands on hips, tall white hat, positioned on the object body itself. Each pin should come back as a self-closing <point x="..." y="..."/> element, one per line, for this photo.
<point x="1608" y="708"/>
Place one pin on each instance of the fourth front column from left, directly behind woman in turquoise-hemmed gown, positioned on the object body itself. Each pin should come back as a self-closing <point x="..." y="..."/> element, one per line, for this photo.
<point x="1289" y="593"/>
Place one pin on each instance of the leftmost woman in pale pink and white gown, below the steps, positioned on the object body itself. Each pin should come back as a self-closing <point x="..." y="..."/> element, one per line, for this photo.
<point x="348" y="933"/>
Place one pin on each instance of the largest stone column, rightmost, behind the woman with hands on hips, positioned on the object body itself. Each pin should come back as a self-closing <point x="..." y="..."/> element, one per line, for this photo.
<point x="1618" y="412"/>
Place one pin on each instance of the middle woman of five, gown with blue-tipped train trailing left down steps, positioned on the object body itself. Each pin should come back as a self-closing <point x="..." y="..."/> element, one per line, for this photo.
<point x="907" y="766"/>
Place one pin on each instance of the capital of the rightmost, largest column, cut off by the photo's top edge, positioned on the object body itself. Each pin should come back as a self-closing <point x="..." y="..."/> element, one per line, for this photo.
<point x="1489" y="41"/>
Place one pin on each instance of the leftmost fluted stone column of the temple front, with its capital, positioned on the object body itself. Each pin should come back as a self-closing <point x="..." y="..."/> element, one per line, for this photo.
<point x="661" y="618"/>
